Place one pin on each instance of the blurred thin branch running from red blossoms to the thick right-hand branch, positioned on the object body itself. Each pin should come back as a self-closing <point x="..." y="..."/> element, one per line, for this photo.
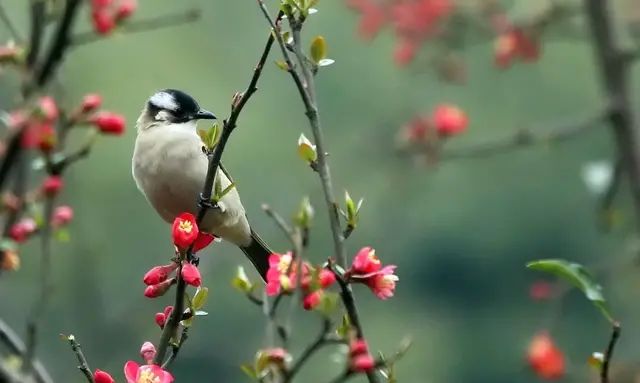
<point x="522" y="138"/>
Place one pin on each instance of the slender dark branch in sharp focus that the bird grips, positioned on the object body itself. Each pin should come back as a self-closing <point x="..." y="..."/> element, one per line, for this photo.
<point x="171" y="327"/>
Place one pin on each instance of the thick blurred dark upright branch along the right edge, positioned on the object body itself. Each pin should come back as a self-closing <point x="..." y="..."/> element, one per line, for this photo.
<point x="614" y="68"/>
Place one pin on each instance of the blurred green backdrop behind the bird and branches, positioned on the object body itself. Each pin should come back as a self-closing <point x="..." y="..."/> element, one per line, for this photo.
<point x="460" y="232"/>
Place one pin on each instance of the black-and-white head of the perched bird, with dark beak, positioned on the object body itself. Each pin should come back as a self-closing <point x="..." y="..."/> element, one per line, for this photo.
<point x="171" y="106"/>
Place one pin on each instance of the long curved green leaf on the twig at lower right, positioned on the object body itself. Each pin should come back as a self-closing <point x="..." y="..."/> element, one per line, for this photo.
<point x="578" y="276"/>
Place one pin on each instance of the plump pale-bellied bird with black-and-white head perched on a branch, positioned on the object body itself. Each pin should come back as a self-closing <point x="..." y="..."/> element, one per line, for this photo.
<point x="169" y="167"/>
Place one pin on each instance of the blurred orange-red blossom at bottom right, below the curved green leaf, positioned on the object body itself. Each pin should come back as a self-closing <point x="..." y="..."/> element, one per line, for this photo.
<point x="545" y="358"/>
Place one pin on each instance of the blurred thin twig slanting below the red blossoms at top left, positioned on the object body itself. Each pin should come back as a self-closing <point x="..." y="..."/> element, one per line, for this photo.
<point x="137" y="26"/>
